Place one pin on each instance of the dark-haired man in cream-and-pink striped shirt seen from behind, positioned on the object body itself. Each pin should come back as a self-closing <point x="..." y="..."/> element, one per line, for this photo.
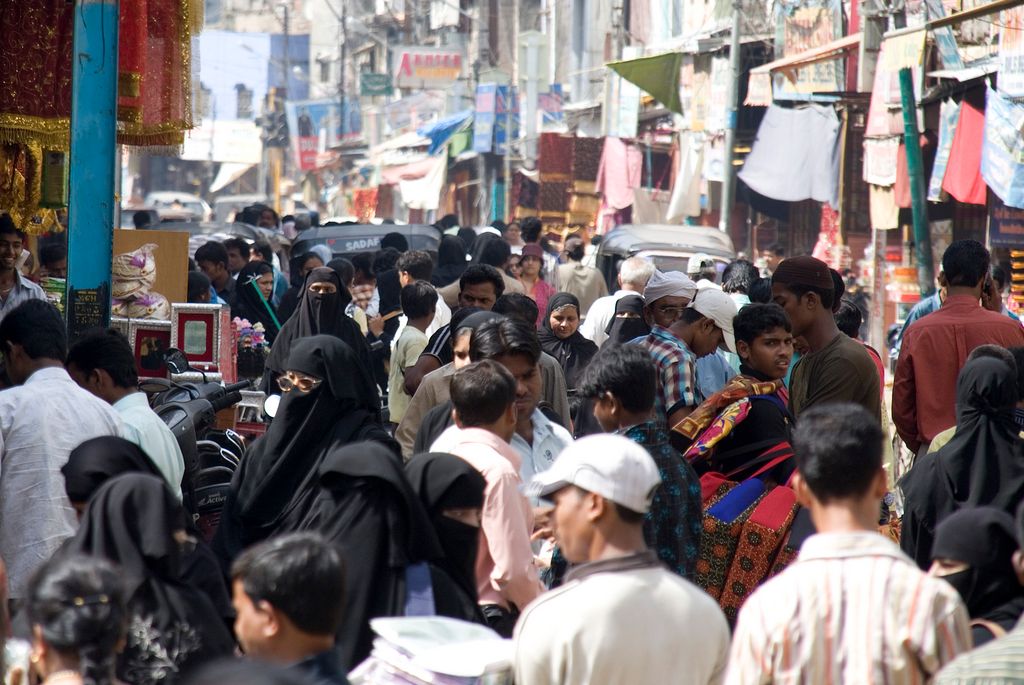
<point x="852" y="609"/>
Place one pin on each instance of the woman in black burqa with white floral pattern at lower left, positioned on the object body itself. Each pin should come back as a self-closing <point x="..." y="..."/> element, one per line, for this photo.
<point x="135" y="522"/>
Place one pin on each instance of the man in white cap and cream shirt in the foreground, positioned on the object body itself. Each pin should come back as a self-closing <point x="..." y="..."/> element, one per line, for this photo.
<point x="622" y="617"/>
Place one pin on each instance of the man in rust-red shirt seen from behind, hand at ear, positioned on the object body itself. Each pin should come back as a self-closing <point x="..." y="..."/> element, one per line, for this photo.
<point x="937" y="347"/>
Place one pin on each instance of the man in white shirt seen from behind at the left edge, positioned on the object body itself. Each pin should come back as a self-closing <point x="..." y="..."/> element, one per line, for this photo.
<point x="41" y="421"/>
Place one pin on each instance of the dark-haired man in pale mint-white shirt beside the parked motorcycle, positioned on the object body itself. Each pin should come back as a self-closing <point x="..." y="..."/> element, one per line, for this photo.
<point x="104" y="365"/>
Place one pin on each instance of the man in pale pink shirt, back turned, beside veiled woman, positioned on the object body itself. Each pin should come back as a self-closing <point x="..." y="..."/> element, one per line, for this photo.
<point x="484" y="399"/>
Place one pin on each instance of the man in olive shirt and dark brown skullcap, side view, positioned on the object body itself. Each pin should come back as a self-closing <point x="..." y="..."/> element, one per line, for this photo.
<point x="838" y="369"/>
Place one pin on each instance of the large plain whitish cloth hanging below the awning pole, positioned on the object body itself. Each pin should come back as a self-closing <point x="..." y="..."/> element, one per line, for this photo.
<point x="796" y="155"/>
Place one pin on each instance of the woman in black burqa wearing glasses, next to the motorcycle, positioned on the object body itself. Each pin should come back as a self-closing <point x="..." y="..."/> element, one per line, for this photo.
<point x="278" y="480"/>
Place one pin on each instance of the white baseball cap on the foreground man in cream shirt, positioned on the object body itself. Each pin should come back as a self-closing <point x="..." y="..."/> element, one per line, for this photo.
<point x="613" y="466"/>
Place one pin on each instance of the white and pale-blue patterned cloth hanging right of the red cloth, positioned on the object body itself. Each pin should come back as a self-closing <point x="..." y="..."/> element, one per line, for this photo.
<point x="1004" y="149"/>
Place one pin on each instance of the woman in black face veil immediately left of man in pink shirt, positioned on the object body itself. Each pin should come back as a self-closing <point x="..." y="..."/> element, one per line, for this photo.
<point x="452" y="492"/>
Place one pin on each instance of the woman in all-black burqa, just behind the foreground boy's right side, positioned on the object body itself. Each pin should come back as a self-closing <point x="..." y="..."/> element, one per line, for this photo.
<point x="367" y="506"/>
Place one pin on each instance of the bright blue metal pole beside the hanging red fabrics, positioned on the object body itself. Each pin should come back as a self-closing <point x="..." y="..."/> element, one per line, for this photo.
<point x="94" y="151"/>
